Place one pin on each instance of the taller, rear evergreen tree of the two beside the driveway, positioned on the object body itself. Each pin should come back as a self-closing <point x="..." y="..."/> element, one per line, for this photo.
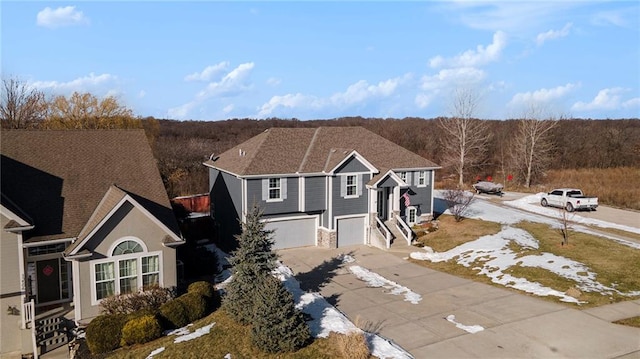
<point x="253" y="261"/>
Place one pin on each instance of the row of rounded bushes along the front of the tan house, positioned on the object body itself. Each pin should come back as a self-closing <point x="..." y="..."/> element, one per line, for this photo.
<point x="109" y="331"/>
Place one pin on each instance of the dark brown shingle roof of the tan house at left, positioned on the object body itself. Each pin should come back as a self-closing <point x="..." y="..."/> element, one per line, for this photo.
<point x="60" y="177"/>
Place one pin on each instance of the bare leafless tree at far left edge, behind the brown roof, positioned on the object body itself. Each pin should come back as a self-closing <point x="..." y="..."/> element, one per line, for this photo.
<point x="21" y="106"/>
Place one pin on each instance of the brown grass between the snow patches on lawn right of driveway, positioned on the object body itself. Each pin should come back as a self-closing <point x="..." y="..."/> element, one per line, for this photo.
<point x="613" y="263"/>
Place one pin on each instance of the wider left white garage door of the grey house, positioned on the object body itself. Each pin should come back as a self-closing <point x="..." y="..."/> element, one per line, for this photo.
<point x="293" y="232"/>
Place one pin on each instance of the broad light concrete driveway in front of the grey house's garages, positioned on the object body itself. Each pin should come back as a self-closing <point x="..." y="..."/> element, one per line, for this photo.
<point x="516" y="325"/>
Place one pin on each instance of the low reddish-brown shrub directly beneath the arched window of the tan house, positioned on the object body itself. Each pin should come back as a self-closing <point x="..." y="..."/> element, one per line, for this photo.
<point x="150" y="299"/>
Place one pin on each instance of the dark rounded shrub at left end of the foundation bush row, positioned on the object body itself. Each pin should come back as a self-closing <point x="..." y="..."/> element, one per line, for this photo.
<point x="103" y="333"/>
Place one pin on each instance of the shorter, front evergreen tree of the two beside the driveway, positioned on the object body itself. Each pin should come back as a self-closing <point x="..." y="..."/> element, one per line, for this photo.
<point x="278" y="326"/>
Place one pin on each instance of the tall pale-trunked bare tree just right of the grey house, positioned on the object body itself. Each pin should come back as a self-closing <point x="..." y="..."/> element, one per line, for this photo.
<point x="465" y="139"/>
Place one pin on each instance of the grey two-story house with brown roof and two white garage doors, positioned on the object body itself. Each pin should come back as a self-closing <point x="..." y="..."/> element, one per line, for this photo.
<point x="327" y="186"/>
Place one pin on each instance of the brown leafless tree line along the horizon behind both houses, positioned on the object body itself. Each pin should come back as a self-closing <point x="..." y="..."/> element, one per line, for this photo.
<point x="467" y="148"/>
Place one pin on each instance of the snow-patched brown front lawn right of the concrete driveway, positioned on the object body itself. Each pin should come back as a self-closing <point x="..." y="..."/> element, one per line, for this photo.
<point x="604" y="269"/>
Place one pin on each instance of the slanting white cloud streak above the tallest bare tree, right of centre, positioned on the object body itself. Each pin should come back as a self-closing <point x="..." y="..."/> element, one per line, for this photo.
<point x="478" y="57"/>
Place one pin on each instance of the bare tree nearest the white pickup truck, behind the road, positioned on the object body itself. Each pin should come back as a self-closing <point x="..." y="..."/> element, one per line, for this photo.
<point x="531" y="144"/>
